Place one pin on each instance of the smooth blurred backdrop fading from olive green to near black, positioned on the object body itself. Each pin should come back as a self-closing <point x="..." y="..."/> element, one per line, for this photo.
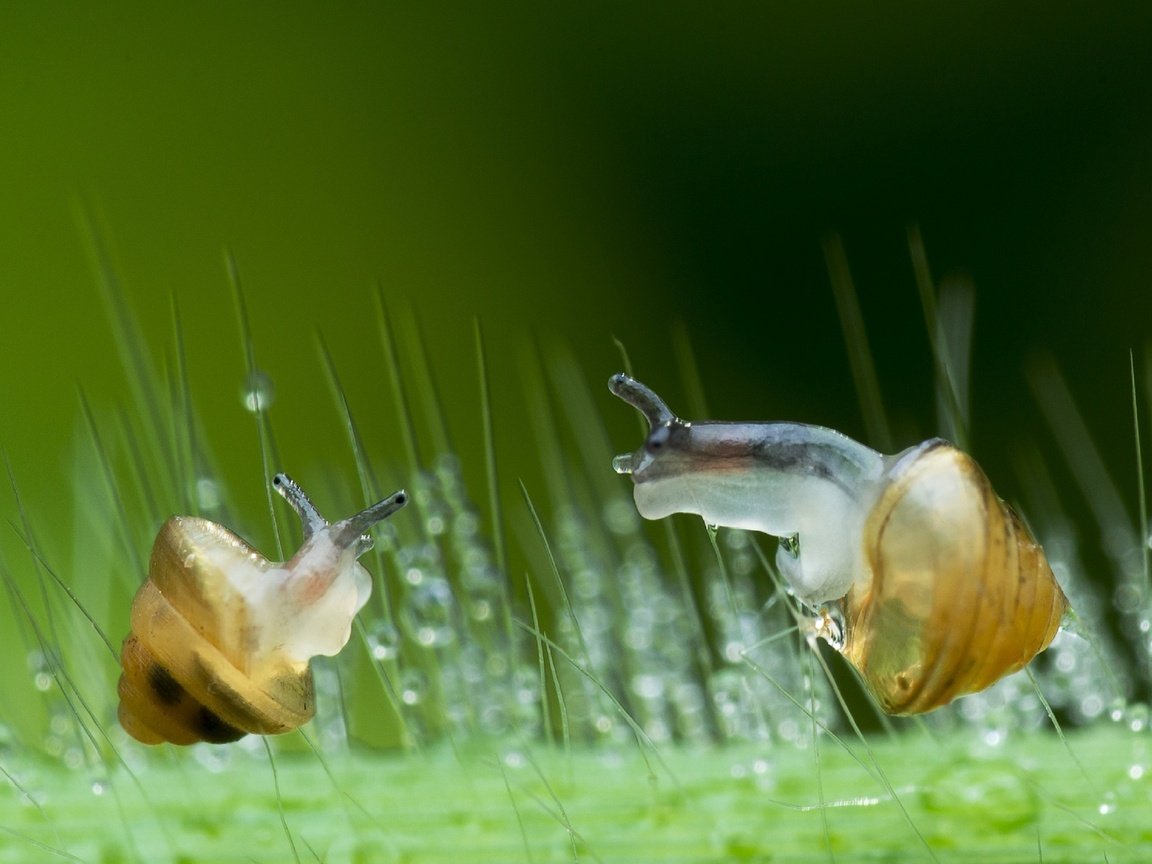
<point x="570" y="175"/>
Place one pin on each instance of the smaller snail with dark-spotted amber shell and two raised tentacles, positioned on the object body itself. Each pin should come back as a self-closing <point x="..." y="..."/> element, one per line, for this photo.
<point x="222" y="638"/>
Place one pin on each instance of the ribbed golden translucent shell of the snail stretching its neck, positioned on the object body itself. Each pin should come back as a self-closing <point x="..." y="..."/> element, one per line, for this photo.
<point x="960" y="596"/>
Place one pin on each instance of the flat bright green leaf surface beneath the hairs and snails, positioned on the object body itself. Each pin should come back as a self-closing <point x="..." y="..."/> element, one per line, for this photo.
<point x="1024" y="801"/>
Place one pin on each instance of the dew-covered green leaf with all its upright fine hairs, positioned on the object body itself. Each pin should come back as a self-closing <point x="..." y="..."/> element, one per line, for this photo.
<point x="542" y="677"/>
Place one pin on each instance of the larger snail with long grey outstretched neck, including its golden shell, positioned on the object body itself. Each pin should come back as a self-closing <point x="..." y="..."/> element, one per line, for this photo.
<point x="942" y="588"/>
